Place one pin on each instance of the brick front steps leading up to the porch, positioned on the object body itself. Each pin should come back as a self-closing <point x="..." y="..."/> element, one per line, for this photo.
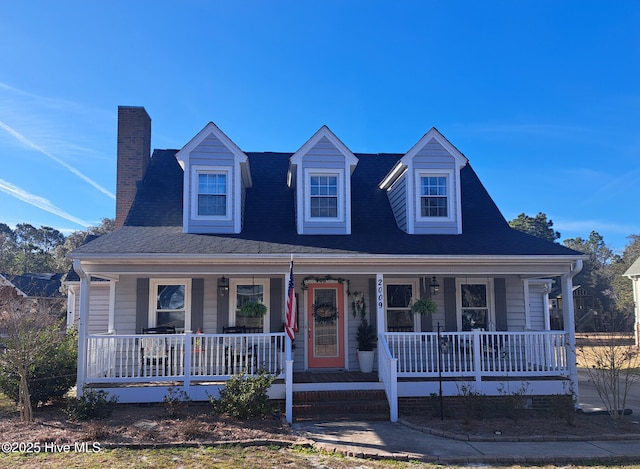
<point x="340" y="405"/>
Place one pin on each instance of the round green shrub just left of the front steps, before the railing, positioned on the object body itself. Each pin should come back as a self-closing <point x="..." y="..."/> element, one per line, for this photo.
<point x="244" y="396"/>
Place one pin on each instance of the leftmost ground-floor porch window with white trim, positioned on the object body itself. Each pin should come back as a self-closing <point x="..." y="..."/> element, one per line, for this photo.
<point x="170" y="303"/>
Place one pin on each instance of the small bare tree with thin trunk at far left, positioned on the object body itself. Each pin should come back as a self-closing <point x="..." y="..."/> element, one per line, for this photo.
<point x="29" y="332"/>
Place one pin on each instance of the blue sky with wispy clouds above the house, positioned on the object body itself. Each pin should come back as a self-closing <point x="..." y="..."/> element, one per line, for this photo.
<point x="543" y="97"/>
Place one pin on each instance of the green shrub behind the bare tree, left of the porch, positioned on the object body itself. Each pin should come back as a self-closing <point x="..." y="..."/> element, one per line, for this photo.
<point x="51" y="377"/>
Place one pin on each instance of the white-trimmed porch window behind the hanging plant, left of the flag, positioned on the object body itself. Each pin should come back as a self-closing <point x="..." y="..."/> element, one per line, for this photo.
<point x="247" y="290"/>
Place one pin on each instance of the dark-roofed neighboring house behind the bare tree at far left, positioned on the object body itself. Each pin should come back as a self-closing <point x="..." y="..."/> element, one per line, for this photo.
<point x="44" y="287"/>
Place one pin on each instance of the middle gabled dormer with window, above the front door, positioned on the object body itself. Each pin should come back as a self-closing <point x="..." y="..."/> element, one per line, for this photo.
<point x="320" y="173"/>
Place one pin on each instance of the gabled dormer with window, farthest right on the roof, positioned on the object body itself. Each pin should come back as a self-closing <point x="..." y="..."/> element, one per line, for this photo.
<point x="424" y="187"/>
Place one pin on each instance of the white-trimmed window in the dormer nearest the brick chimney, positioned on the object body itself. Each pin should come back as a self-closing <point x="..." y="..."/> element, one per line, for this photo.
<point x="211" y="199"/>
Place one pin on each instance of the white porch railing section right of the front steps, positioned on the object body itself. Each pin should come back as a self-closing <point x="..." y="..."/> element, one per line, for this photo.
<point x="479" y="354"/>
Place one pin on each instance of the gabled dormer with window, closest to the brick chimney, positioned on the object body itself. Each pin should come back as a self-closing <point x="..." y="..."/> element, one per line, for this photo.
<point x="216" y="175"/>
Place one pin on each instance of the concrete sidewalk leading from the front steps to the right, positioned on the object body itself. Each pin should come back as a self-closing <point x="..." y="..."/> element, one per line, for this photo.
<point x="398" y="441"/>
